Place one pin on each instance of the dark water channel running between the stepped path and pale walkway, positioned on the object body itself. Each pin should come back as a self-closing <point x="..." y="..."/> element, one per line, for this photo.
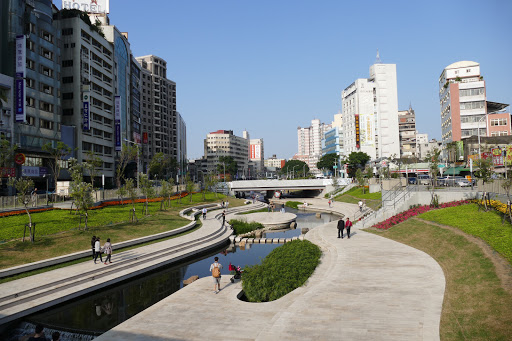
<point x="86" y="317"/>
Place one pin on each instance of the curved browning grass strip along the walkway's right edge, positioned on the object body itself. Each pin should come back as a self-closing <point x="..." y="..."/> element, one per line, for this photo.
<point x="476" y="306"/>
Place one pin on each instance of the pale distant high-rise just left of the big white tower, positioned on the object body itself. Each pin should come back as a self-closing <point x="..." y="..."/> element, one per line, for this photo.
<point x="310" y="143"/>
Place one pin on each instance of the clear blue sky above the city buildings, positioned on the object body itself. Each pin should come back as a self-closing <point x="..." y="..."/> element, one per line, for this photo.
<point x="271" y="66"/>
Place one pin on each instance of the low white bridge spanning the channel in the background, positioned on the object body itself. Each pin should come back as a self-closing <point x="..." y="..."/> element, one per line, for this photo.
<point x="282" y="185"/>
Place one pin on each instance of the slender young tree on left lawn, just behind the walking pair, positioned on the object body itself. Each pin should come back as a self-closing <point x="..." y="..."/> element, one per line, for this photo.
<point x="81" y="192"/>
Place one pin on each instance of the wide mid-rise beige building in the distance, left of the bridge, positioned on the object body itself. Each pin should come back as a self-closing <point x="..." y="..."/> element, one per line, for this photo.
<point x="225" y="143"/>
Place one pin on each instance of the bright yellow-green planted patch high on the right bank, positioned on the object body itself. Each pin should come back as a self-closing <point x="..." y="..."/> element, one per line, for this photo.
<point x="484" y="225"/>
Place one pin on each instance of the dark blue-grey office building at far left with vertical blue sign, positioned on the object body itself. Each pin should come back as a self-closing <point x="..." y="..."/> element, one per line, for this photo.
<point x="30" y="56"/>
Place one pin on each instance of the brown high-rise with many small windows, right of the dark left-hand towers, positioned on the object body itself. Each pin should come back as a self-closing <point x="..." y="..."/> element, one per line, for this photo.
<point x="160" y="120"/>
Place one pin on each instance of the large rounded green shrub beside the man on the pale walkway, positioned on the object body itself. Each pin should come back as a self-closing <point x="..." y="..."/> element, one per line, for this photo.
<point x="282" y="271"/>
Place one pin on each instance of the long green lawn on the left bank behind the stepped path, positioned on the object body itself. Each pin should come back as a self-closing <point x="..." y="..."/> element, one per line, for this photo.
<point x="57" y="235"/>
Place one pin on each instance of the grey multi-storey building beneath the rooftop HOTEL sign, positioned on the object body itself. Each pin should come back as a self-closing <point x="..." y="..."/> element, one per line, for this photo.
<point x="88" y="91"/>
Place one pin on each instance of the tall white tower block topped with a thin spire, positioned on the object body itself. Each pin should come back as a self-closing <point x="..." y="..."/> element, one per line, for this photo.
<point x="370" y="113"/>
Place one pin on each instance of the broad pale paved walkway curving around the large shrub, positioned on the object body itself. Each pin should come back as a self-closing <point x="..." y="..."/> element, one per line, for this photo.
<point x="365" y="288"/>
